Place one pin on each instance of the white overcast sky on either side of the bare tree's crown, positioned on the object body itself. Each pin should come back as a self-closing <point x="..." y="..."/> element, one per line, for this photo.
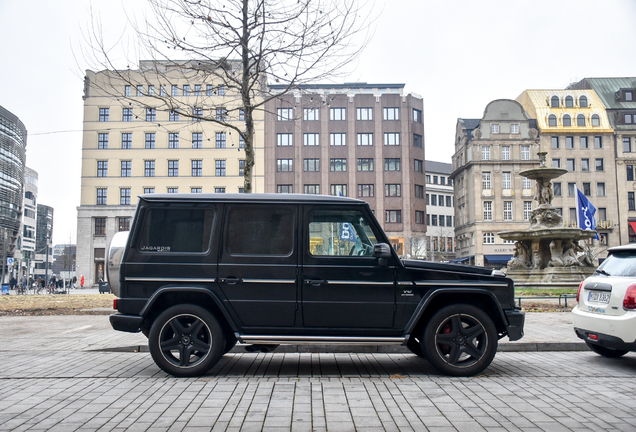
<point x="458" y="55"/>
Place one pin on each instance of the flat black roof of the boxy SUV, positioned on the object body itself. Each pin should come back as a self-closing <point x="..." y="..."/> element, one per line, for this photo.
<point x="250" y="198"/>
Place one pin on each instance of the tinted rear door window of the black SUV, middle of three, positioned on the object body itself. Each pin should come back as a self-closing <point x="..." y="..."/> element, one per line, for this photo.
<point x="260" y="230"/>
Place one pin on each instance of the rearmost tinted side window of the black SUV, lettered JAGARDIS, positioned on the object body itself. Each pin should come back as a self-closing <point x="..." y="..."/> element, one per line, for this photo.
<point x="173" y="229"/>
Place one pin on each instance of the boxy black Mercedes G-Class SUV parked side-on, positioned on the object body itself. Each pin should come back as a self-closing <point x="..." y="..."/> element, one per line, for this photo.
<point x="198" y="273"/>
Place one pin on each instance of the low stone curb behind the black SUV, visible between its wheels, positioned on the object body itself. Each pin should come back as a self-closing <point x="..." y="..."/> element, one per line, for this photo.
<point x="373" y="349"/>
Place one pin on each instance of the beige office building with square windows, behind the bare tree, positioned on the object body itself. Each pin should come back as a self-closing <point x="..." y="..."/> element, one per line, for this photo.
<point x="140" y="137"/>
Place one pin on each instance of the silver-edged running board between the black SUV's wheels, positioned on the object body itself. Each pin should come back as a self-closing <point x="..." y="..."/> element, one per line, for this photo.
<point x="312" y="340"/>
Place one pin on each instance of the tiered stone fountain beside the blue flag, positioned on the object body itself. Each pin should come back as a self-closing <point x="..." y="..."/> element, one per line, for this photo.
<point x="547" y="254"/>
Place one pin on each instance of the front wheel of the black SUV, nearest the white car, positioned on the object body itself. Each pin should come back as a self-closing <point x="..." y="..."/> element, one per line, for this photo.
<point x="460" y="340"/>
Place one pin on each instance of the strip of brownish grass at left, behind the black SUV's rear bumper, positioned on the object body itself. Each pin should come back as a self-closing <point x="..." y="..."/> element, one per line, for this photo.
<point x="56" y="304"/>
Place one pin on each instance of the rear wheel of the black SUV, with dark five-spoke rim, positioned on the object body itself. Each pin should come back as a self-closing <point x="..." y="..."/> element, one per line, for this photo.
<point x="186" y="340"/>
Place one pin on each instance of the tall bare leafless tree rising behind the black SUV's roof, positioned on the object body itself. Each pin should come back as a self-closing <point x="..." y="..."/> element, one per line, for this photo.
<point x="241" y="44"/>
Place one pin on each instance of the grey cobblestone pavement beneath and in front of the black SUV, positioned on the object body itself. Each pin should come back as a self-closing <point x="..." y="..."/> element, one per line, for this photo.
<point x="53" y="379"/>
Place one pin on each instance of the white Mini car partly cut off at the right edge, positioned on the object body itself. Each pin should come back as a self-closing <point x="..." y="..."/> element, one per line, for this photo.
<point x="605" y="317"/>
